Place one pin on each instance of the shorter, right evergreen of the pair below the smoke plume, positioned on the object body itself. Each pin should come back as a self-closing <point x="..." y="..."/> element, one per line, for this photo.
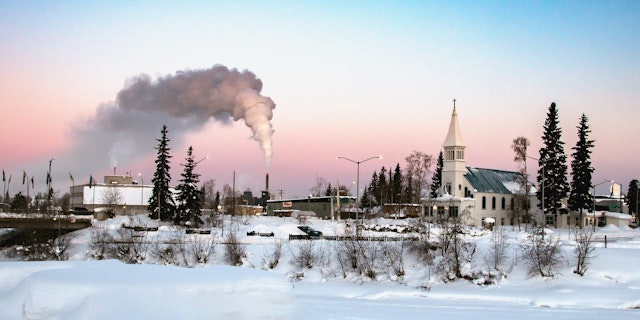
<point x="189" y="196"/>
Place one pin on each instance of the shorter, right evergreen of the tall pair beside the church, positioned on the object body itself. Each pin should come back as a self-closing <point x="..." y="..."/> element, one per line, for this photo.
<point x="580" y="197"/>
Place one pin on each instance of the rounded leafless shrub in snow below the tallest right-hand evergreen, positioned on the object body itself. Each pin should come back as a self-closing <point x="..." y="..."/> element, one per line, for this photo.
<point x="542" y="255"/>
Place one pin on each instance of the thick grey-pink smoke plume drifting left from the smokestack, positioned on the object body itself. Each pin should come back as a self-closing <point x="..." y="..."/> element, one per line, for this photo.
<point x="184" y="102"/>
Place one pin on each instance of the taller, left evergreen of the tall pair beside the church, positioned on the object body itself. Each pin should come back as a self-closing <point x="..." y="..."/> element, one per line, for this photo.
<point x="552" y="165"/>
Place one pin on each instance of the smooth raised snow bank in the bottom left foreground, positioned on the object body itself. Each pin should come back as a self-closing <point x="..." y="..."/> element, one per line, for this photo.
<point x="112" y="290"/>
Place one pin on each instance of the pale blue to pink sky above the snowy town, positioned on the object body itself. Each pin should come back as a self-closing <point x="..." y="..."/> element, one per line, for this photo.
<point x="351" y="79"/>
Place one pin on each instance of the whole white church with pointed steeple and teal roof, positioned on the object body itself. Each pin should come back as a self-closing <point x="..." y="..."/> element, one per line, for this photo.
<point x="479" y="196"/>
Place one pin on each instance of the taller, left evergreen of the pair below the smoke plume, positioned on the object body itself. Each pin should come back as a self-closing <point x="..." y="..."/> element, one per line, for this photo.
<point x="161" y="203"/>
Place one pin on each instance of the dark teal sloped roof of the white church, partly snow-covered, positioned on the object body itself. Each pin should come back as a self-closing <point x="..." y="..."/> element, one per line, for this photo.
<point x="493" y="181"/>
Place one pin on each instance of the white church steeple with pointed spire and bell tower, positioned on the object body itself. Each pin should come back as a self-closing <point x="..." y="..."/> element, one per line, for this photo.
<point x="454" y="166"/>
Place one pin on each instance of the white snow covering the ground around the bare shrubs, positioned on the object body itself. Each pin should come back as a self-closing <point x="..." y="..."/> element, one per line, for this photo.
<point x="82" y="288"/>
